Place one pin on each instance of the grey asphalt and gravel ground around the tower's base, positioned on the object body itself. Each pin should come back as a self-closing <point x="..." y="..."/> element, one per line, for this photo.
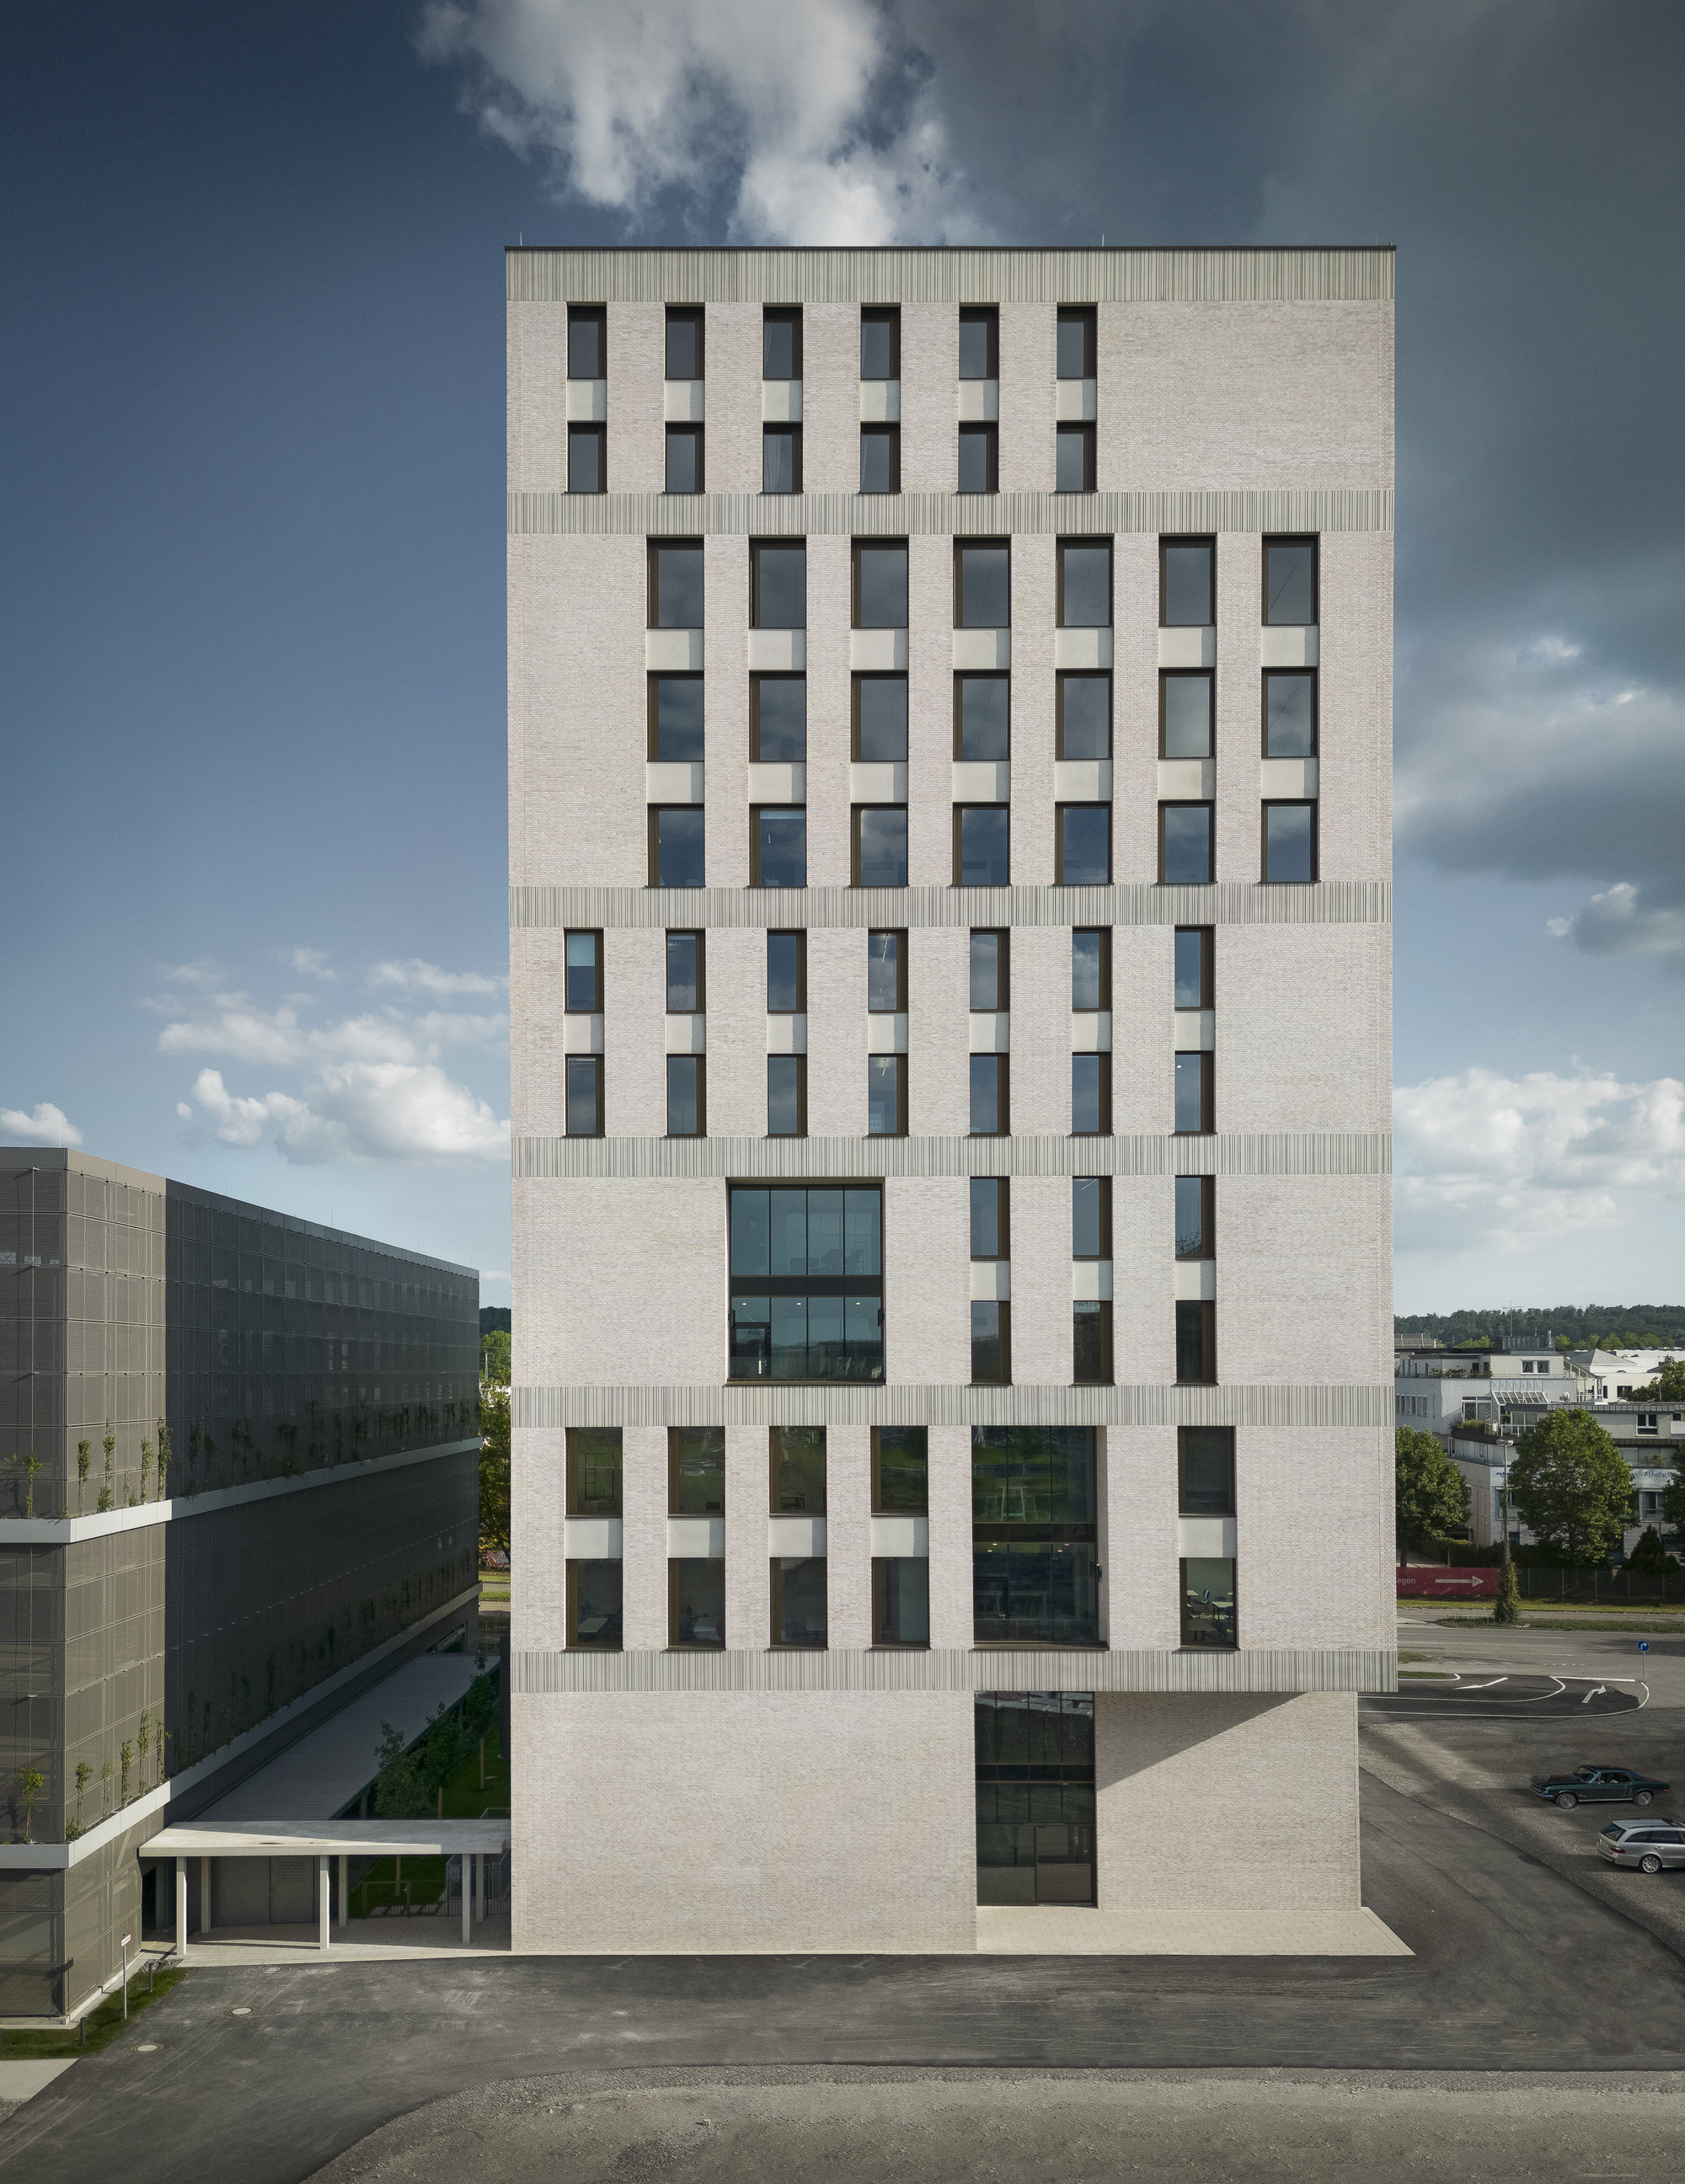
<point x="1531" y="1958"/>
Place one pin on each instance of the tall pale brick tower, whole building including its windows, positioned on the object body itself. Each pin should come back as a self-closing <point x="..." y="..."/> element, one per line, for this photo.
<point x="950" y="833"/>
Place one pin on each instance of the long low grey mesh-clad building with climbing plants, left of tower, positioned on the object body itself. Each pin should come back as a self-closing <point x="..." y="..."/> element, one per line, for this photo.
<point x="241" y="1484"/>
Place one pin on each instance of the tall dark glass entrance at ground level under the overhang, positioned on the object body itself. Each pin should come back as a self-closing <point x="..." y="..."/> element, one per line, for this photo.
<point x="1035" y="1799"/>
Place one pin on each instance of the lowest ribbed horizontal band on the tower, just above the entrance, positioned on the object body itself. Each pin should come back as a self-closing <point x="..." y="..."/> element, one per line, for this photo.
<point x="954" y="1670"/>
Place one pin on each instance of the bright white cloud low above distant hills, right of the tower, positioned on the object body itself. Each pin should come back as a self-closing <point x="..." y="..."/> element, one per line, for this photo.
<point x="1507" y="1161"/>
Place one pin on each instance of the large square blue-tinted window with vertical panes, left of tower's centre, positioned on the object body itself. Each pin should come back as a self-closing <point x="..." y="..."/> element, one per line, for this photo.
<point x="808" y="1283"/>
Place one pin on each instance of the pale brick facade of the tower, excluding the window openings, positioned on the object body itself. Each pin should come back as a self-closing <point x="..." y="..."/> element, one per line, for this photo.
<point x="768" y="1799"/>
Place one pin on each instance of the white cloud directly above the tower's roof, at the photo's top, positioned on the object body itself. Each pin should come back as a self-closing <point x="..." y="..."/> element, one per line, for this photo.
<point x="810" y="117"/>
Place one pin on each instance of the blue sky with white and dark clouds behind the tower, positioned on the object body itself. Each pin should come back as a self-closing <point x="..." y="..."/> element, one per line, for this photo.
<point x="252" y="665"/>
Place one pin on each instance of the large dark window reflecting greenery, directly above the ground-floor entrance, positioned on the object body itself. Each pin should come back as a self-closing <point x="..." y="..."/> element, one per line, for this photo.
<point x="1035" y="1539"/>
